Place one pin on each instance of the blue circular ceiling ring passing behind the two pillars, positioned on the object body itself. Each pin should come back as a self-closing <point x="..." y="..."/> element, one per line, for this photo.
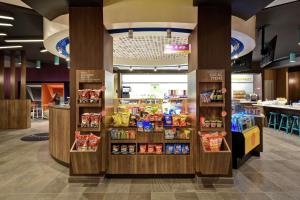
<point x="61" y="46"/>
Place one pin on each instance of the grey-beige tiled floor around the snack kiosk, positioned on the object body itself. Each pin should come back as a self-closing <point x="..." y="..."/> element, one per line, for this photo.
<point x="28" y="172"/>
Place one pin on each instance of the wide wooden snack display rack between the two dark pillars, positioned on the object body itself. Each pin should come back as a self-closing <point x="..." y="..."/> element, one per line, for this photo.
<point x="149" y="163"/>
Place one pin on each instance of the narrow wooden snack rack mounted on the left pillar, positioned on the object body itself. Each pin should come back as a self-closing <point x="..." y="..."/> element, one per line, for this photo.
<point x="91" y="161"/>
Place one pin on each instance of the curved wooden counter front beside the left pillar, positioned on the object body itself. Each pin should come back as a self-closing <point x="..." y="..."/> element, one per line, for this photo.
<point x="59" y="133"/>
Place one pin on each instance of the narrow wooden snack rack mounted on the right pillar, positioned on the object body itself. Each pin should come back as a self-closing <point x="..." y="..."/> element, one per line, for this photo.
<point x="210" y="163"/>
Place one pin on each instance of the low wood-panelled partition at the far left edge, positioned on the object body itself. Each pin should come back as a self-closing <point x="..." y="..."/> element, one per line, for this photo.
<point x="15" y="114"/>
